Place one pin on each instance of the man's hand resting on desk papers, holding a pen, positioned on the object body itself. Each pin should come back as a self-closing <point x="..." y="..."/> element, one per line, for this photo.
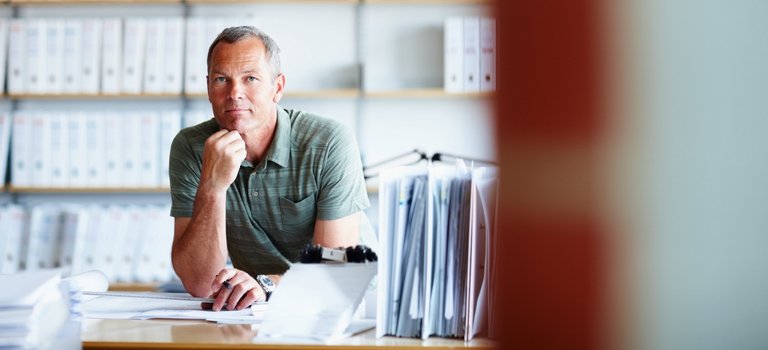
<point x="239" y="291"/>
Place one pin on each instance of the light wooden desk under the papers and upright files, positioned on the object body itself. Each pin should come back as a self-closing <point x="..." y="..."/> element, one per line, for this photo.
<point x="180" y="334"/>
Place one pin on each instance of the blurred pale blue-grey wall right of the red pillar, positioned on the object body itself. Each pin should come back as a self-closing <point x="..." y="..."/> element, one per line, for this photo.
<point x="695" y="79"/>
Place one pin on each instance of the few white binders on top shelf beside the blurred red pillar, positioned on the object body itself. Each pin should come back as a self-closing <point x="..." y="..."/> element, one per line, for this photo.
<point x="470" y="54"/>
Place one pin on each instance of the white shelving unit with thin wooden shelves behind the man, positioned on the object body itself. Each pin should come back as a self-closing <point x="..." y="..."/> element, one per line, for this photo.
<point x="374" y="65"/>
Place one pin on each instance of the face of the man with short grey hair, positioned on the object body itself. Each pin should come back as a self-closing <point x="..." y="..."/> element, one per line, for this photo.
<point x="240" y="86"/>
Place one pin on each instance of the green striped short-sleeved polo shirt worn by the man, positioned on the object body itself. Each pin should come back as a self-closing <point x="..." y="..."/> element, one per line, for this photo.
<point x="312" y="170"/>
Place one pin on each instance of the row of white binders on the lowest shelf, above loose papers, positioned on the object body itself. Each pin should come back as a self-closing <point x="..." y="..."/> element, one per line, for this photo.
<point x="128" y="243"/>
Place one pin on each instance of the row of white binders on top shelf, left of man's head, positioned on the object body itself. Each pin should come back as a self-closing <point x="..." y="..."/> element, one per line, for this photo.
<point x="110" y="55"/>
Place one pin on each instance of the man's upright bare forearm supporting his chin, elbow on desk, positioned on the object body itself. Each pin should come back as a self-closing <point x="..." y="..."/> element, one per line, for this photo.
<point x="201" y="252"/>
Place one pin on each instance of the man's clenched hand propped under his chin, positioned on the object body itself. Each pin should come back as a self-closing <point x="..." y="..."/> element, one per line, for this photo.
<point x="223" y="154"/>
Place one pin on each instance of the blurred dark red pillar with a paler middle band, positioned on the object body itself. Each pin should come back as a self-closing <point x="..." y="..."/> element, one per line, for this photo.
<point x="550" y="289"/>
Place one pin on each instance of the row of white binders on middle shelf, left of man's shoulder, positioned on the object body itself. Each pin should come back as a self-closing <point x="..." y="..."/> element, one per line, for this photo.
<point x="54" y="149"/>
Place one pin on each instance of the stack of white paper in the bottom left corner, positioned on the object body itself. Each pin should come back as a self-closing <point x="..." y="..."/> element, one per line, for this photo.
<point x="32" y="309"/>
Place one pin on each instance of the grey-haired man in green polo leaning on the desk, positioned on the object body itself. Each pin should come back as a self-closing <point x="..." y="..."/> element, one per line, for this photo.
<point x="257" y="182"/>
